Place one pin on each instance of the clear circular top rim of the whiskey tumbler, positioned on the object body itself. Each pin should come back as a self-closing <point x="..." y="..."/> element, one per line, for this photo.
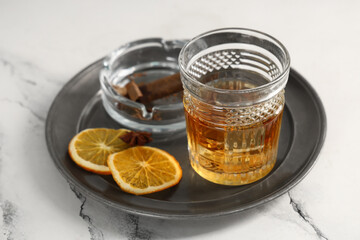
<point x="280" y="78"/>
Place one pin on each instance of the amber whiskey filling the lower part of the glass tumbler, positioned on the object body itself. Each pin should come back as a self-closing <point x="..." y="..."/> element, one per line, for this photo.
<point x="233" y="146"/>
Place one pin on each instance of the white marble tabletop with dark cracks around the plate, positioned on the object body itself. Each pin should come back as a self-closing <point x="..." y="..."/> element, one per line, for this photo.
<point x="44" y="43"/>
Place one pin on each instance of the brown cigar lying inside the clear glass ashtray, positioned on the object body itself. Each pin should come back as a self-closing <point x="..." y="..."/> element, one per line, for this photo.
<point x="147" y="92"/>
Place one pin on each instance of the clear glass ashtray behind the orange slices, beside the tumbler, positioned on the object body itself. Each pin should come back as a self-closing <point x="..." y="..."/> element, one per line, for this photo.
<point x="143" y="61"/>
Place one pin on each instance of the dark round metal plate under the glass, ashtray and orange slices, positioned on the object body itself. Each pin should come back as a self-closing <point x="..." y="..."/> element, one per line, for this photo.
<point x="78" y="106"/>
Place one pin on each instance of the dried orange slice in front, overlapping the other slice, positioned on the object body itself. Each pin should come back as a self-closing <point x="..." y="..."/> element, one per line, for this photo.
<point x="143" y="170"/>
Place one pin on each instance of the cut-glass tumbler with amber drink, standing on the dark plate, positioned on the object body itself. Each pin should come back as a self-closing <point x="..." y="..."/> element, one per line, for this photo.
<point x="234" y="82"/>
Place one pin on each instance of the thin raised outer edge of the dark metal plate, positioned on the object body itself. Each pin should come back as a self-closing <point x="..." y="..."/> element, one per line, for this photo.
<point x="298" y="177"/>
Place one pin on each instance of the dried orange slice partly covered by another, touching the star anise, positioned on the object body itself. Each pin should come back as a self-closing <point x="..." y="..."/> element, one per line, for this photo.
<point x="90" y="148"/>
